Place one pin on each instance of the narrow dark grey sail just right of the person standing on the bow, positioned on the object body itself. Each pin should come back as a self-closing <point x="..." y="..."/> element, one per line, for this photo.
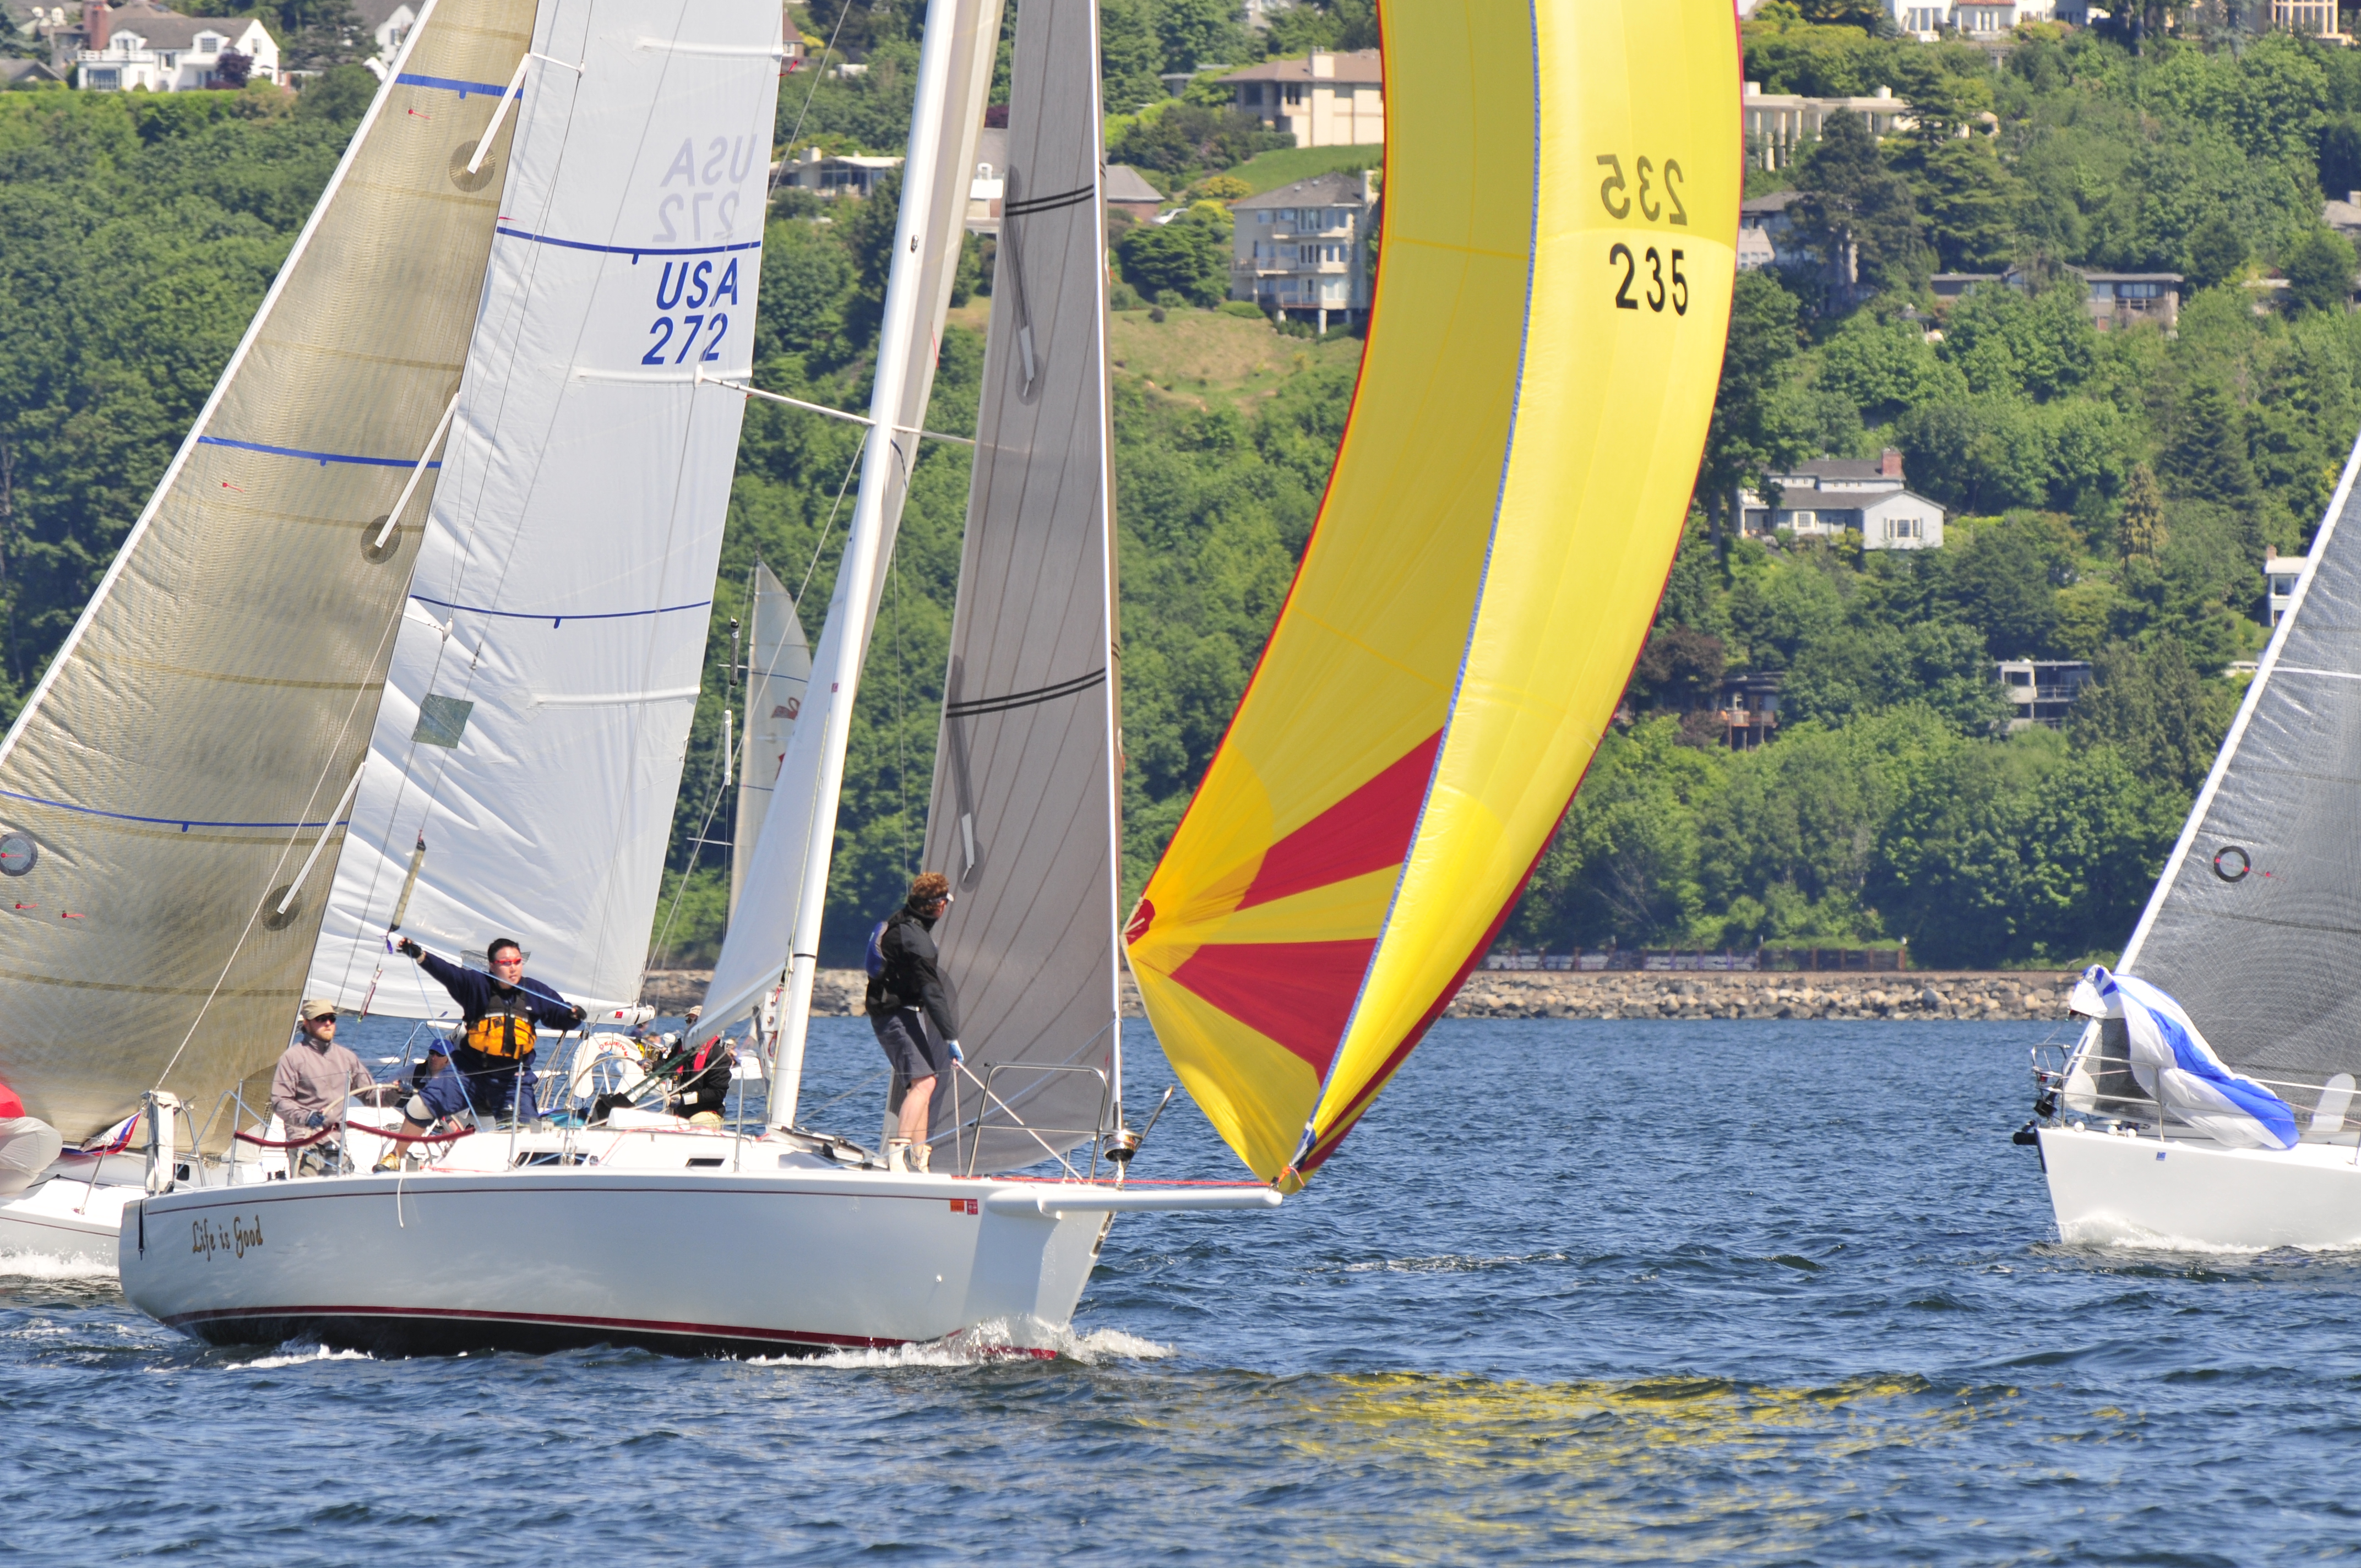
<point x="1023" y="814"/>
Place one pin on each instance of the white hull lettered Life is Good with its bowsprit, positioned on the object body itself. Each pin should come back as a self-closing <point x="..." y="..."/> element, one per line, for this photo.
<point x="780" y="1255"/>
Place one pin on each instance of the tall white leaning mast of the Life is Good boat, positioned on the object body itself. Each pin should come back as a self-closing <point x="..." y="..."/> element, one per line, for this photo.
<point x="955" y="65"/>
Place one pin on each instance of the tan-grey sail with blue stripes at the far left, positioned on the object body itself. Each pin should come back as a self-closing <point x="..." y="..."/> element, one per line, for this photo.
<point x="192" y="745"/>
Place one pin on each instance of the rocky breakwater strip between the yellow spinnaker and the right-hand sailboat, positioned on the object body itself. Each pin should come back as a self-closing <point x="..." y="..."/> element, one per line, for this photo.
<point x="2015" y="995"/>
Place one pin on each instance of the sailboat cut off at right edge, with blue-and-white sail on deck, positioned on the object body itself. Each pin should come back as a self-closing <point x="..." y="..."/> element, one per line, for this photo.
<point x="2209" y="1099"/>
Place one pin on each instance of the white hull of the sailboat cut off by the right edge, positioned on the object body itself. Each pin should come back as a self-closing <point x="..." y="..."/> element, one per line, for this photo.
<point x="2190" y="1194"/>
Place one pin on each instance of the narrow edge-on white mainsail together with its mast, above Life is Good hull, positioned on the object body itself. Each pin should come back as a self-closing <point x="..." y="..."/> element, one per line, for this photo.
<point x="776" y="927"/>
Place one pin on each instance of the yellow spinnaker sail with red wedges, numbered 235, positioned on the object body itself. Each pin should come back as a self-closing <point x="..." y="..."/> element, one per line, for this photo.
<point x="1559" y="244"/>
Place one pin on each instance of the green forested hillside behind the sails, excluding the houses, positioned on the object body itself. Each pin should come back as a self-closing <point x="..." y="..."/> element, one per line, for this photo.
<point x="2112" y="495"/>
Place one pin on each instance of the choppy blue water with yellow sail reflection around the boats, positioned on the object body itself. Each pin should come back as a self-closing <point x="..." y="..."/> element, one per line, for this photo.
<point x="1574" y="1291"/>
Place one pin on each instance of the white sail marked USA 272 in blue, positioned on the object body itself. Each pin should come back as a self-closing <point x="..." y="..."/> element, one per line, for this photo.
<point x="539" y="703"/>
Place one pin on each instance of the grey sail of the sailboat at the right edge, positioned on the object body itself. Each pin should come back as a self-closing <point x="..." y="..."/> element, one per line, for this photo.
<point x="2256" y="925"/>
